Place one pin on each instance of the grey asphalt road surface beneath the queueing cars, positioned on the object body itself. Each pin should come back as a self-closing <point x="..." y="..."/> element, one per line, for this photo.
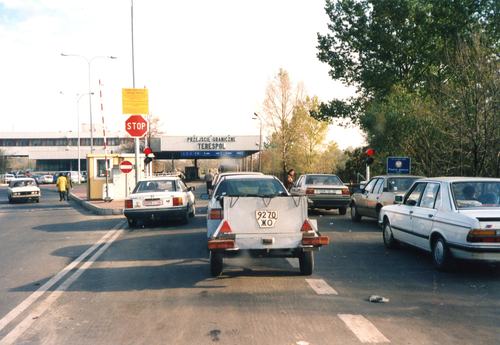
<point x="152" y="286"/>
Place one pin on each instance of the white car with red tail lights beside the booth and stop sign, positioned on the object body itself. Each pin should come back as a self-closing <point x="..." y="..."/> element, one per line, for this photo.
<point x="160" y="198"/>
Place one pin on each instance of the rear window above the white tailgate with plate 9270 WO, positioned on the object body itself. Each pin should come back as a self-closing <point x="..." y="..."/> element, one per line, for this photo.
<point x="251" y="187"/>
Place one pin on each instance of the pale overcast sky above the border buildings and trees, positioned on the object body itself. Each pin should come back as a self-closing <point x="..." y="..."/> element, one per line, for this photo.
<point x="206" y="63"/>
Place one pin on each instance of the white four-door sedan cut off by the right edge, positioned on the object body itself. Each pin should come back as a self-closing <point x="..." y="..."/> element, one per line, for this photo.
<point x="451" y="217"/>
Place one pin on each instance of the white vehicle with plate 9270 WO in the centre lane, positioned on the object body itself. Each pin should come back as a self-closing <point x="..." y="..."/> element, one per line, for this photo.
<point x="256" y="214"/>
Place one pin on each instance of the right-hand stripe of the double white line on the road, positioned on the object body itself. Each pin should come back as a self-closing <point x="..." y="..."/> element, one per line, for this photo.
<point x="13" y="335"/>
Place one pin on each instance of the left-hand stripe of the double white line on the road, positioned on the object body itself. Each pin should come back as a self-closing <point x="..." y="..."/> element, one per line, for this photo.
<point x="45" y="287"/>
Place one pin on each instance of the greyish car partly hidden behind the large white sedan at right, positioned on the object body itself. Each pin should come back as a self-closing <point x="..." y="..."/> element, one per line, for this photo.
<point x="378" y="192"/>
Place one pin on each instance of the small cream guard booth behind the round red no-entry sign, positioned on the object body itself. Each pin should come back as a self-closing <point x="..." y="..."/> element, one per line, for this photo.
<point x="119" y="185"/>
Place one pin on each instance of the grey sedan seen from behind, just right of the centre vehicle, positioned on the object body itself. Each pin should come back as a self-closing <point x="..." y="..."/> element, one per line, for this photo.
<point x="324" y="191"/>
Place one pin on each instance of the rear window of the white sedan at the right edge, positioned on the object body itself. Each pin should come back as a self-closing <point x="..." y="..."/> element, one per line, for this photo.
<point x="476" y="194"/>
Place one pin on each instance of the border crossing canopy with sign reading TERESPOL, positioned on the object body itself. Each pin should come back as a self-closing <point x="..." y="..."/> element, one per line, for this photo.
<point x="196" y="147"/>
